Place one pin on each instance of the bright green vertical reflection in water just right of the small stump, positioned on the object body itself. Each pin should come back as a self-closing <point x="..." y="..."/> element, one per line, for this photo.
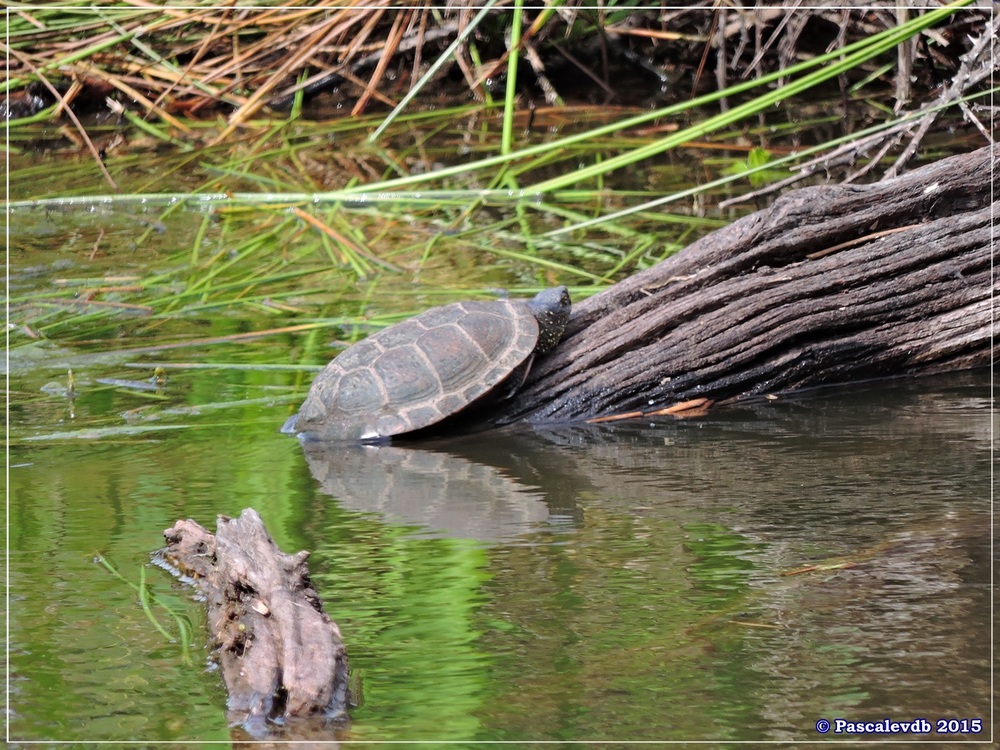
<point x="409" y="605"/>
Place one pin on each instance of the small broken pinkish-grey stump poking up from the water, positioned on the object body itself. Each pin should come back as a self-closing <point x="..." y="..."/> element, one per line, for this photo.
<point x="281" y="656"/>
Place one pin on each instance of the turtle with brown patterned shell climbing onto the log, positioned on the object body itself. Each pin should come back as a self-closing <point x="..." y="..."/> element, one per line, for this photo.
<point x="414" y="374"/>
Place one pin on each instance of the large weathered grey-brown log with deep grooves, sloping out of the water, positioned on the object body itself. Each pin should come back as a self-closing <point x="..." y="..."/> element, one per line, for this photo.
<point x="830" y="285"/>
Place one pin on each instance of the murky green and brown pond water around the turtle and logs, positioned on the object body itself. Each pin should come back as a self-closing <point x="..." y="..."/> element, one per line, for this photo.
<point x="737" y="576"/>
